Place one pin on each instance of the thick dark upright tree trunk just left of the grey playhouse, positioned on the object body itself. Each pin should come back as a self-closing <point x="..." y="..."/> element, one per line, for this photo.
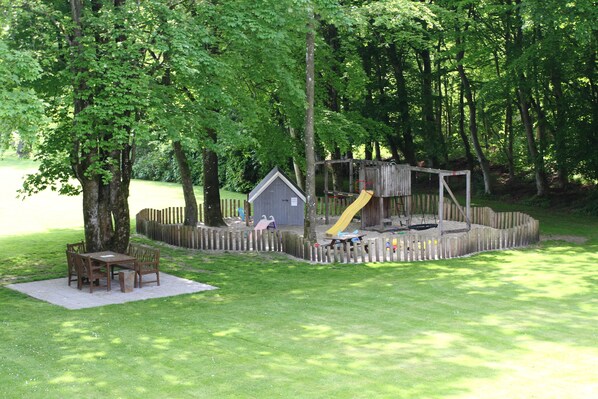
<point x="211" y="183"/>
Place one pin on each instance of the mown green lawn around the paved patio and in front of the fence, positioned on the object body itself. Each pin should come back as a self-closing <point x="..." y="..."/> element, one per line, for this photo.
<point x="509" y="324"/>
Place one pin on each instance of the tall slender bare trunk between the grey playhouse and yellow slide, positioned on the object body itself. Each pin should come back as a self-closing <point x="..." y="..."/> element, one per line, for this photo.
<point x="310" y="179"/>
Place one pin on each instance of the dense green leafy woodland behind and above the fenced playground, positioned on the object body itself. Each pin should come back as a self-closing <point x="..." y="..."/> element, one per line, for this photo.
<point x="214" y="92"/>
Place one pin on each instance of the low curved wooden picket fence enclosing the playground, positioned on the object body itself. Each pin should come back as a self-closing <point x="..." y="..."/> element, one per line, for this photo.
<point x="500" y="230"/>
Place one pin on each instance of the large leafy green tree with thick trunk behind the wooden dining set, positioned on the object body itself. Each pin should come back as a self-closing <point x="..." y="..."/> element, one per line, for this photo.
<point x="99" y="61"/>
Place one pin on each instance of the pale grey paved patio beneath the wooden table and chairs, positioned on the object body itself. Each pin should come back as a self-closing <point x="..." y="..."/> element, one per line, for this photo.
<point x="58" y="292"/>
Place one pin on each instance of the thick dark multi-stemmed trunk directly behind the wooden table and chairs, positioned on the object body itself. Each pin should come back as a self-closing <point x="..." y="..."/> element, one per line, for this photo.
<point x="106" y="214"/>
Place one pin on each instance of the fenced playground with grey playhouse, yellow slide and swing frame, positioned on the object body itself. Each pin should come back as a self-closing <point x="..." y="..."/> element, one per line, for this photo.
<point x="382" y="220"/>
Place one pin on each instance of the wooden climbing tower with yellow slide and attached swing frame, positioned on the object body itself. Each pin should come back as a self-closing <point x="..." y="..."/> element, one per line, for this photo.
<point x="389" y="186"/>
